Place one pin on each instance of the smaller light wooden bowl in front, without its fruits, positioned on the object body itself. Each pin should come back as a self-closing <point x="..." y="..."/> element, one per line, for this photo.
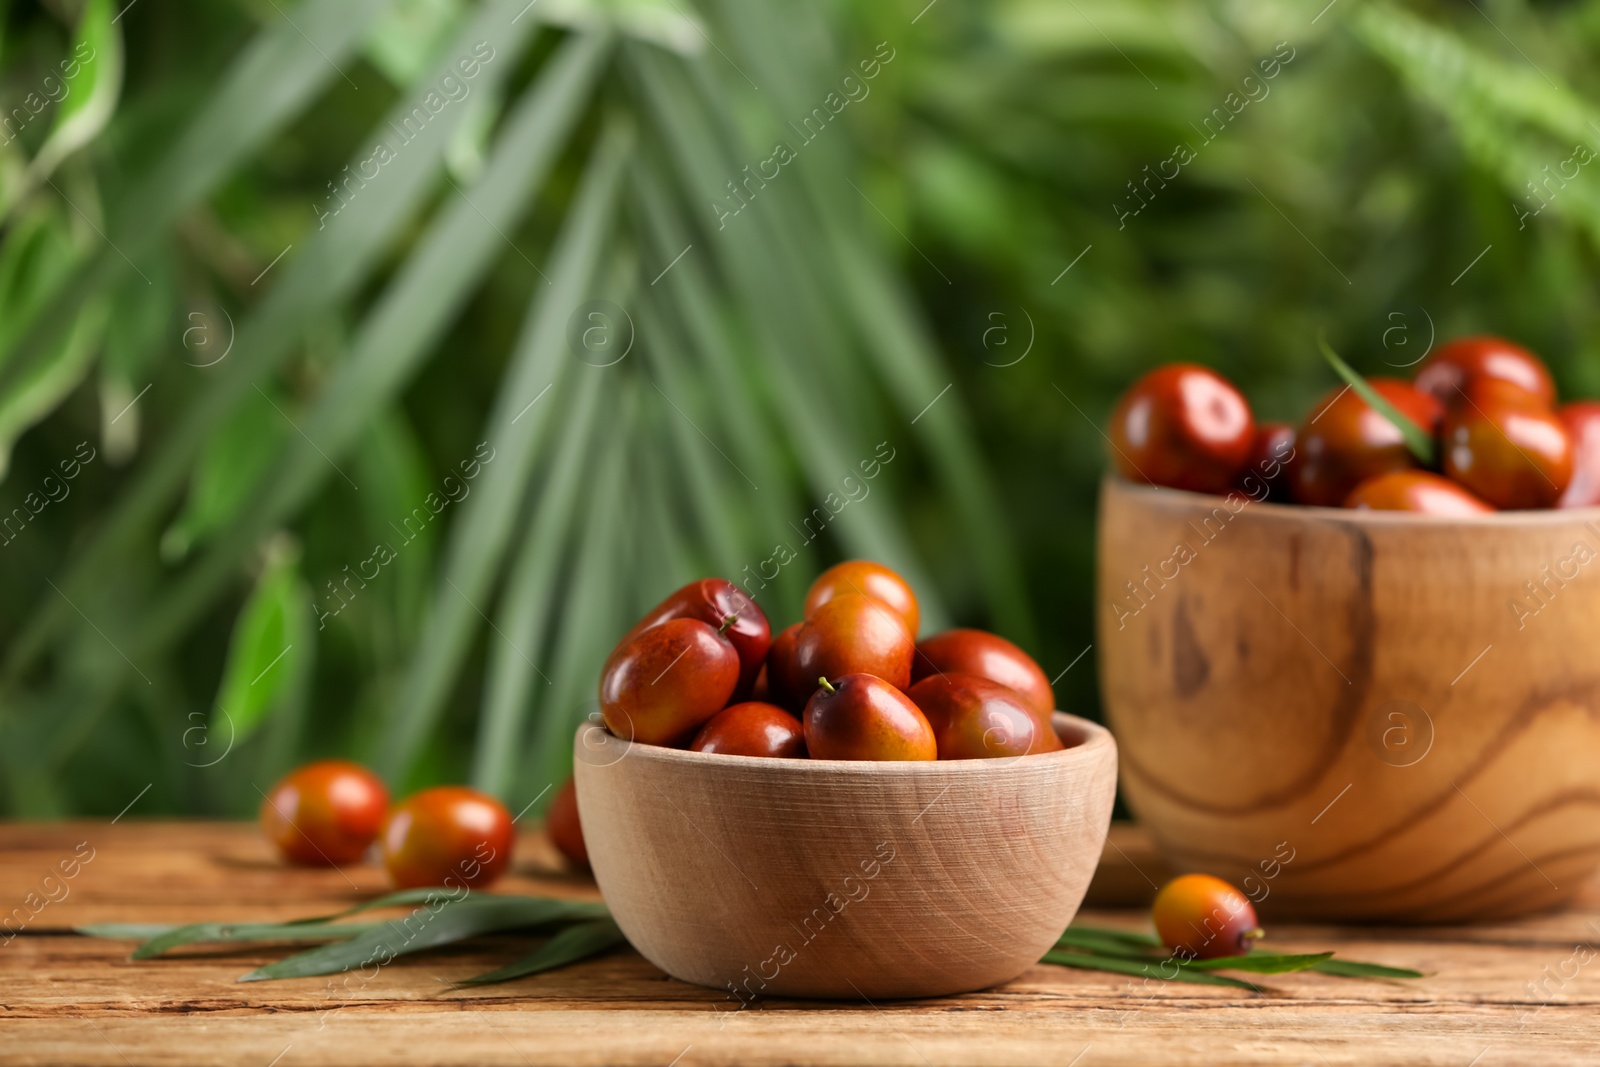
<point x="841" y="879"/>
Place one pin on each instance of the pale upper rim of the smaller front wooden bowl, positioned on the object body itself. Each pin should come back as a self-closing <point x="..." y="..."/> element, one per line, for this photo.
<point x="1092" y="740"/>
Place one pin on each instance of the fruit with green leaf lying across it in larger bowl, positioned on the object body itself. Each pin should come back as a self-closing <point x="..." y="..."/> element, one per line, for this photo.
<point x="1345" y="442"/>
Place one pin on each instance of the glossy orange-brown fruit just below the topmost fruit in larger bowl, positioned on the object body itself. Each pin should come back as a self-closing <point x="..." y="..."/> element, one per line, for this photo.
<point x="1508" y="450"/>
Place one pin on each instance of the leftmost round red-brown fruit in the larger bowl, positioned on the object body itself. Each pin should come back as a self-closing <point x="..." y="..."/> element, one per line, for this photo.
<point x="1183" y="426"/>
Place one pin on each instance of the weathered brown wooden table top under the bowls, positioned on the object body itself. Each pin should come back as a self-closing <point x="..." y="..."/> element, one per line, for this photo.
<point x="1511" y="994"/>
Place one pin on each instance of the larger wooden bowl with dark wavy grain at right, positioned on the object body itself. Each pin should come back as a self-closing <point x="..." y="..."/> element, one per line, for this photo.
<point x="1358" y="714"/>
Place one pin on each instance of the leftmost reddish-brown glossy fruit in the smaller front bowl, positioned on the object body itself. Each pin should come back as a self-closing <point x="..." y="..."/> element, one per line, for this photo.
<point x="663" y="684"/>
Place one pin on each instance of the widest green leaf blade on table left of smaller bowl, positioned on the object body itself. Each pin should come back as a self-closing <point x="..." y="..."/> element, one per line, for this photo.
<point x="423" y="930"/>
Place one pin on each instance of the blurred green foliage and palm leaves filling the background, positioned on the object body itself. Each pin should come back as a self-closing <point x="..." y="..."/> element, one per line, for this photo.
<point x="270" y="391"/>
